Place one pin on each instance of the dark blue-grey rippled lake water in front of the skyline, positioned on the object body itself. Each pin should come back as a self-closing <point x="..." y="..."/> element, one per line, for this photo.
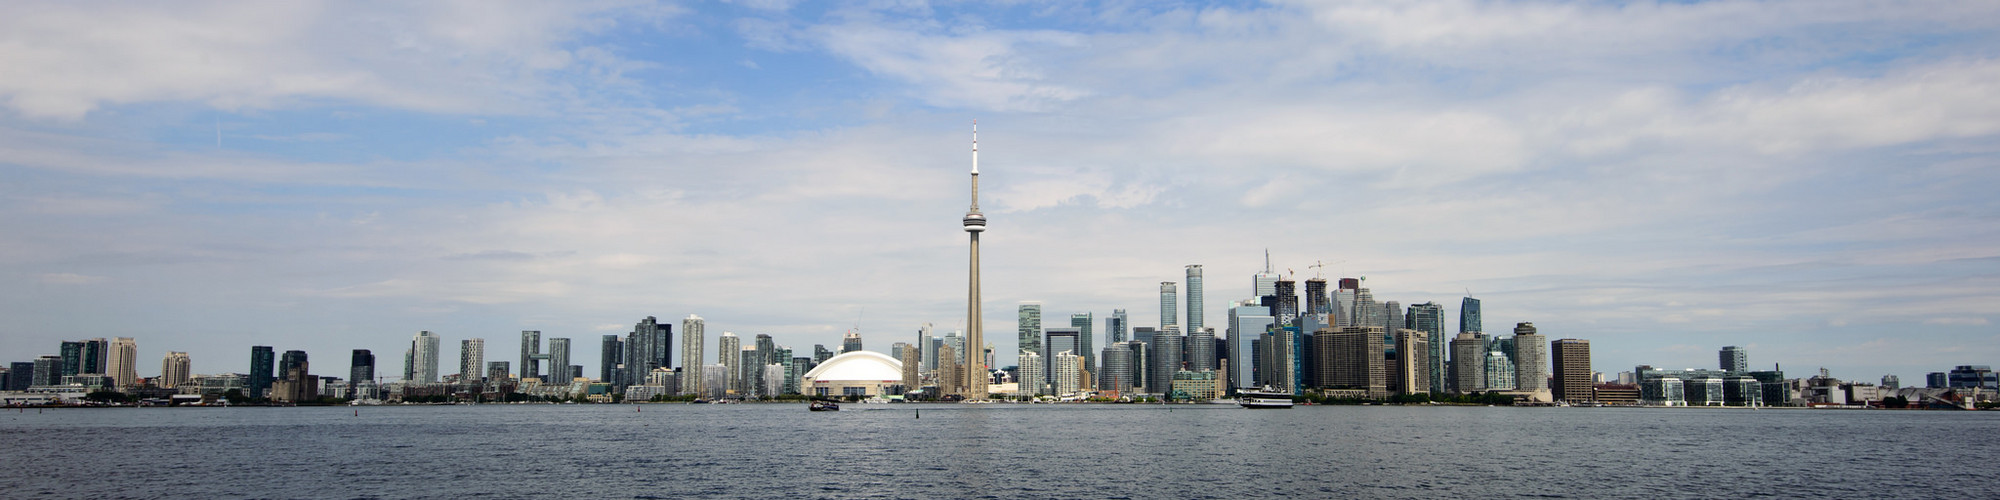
<point x="995" y="451"/>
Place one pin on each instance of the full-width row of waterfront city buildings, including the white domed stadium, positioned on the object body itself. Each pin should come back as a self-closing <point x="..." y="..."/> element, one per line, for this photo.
<point x="1333" y="341"/>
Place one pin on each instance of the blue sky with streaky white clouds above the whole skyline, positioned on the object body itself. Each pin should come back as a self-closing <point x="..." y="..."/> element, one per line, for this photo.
<point x="1813" y="181"/>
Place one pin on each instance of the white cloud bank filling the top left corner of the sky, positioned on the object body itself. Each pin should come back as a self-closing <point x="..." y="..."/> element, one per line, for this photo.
<point x="469" y="57"/>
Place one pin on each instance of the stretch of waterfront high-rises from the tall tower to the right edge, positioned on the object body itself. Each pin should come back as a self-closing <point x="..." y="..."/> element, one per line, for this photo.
<point x="1339" y="341"/>
